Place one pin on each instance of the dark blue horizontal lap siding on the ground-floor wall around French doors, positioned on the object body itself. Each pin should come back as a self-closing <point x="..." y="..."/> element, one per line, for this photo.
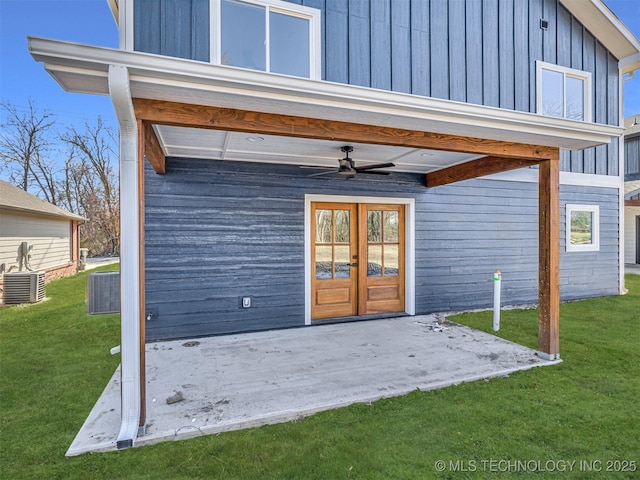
<point x="216" y="231"/>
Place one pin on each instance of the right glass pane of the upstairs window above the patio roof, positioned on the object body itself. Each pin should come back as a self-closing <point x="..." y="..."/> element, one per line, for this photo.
<point x="289" y="45"/>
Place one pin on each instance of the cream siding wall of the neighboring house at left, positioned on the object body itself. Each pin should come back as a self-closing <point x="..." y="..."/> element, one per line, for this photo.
<point x="51" y="239"/>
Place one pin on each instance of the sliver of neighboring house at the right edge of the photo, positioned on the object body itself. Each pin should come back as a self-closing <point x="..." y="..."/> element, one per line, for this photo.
<point x="632" y="190"/>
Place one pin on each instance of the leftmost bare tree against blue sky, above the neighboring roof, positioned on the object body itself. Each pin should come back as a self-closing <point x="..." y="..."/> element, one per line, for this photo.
<point x="25" y="142"/>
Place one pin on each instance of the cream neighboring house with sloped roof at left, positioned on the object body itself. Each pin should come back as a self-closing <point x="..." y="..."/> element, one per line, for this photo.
<point x="50" y="231"/>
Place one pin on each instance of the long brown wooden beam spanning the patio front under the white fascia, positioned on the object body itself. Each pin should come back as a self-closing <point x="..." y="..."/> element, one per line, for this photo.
<point x="228" y="119"/>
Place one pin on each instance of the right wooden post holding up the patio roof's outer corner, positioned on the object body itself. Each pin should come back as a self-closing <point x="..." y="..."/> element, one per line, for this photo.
<point x="549" y="258"/>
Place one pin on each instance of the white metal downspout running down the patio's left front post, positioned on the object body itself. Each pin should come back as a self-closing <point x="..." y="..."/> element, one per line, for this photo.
<point x="129" y="256"/>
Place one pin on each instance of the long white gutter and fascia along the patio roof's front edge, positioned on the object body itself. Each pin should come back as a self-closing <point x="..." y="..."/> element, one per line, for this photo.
<point x="314" y="98"/>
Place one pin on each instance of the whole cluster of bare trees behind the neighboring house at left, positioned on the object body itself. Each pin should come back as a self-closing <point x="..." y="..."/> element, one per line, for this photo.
<point x="86" y="182"/>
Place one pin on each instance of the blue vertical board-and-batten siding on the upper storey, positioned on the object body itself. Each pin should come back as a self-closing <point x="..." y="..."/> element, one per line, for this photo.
<point x="475" y="51"/>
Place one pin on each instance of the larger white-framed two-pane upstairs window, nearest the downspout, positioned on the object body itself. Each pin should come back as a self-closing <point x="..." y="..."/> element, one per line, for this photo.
<point x="266" y="35"/>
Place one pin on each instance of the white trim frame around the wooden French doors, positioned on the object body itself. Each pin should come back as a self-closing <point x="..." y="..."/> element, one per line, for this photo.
<point x="409" y="204"/>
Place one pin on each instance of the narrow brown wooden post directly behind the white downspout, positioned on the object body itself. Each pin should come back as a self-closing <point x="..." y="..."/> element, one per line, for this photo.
<point x="142" y="136"/>
